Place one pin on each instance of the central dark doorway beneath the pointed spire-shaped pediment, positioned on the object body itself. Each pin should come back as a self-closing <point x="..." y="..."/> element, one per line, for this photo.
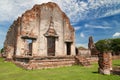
<point x="51" y="46"/>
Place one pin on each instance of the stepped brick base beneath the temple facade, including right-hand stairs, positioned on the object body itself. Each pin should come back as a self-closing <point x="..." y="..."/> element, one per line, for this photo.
<point x="31" y="63"/>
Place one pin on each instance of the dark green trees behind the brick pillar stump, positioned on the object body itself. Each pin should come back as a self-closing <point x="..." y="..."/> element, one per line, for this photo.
<point x="111" y="45"/>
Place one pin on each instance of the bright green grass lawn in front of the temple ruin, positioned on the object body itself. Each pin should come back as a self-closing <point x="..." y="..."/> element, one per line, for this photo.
<point x="9" y="71"/>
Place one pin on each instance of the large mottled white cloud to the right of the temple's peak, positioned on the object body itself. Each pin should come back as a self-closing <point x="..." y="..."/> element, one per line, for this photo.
<point x="81" y="10"/>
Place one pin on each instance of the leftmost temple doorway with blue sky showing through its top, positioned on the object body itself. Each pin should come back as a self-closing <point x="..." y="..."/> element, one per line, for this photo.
<point x="28" y="47"/>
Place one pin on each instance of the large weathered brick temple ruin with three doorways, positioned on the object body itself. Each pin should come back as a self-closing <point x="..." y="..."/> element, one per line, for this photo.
<point x="42" y="33"/>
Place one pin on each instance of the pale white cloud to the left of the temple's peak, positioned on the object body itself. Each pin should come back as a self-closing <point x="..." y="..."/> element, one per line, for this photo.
<point x="11" y="9"/>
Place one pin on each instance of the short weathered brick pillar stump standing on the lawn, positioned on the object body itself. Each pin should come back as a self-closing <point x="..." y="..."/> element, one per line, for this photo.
<point x="105" y="63"/>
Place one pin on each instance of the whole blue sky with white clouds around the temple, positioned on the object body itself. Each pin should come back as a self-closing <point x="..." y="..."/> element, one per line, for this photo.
<point x="97" y="18"/>
